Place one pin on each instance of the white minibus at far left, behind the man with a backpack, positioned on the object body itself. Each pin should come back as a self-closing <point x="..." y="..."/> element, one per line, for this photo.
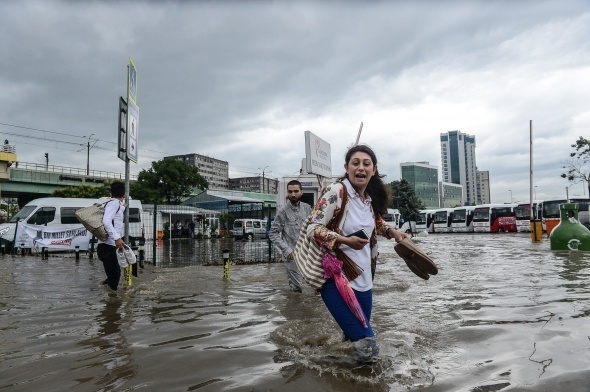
<point x="51" y="223"/>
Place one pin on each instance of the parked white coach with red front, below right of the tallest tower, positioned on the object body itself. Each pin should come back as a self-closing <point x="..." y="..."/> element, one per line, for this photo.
<point x="493" y="218"/>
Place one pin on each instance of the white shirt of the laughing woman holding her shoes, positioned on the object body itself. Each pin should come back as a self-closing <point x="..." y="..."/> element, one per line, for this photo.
<point x="359" y="216"/>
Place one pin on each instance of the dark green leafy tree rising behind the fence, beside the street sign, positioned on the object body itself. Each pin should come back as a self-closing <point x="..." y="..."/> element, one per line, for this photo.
<point x="169" y="181"/>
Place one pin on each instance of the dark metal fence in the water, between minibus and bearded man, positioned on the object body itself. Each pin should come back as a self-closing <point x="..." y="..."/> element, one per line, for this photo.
<point x="177" y="235"/>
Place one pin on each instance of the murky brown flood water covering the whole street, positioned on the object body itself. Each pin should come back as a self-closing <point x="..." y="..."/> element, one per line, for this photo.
<point x="503" y="314"/>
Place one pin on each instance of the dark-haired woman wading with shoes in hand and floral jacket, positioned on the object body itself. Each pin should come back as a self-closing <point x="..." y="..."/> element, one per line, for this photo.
<point x="364" y="204"/>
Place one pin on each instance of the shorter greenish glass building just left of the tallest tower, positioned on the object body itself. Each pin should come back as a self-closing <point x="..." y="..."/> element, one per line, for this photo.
<point x="424" y="178"/>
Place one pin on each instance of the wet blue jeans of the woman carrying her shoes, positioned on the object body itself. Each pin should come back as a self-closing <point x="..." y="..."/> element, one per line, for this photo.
<point x="350" y="325"/>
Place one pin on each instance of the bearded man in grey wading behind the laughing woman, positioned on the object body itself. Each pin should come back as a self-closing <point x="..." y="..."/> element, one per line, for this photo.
<point x="285" y="231"/>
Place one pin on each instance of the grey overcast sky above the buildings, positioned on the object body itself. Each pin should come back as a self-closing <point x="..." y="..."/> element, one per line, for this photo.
<point x="242" y="81"/>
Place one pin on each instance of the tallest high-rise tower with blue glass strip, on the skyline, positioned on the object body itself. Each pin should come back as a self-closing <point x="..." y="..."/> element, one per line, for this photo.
<point x="457" y="151"/>
